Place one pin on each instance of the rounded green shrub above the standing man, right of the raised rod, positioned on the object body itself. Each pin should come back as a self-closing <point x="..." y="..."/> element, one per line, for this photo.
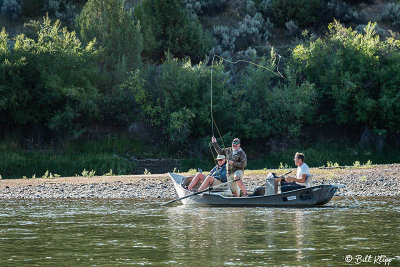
<point x="270" y="107"/>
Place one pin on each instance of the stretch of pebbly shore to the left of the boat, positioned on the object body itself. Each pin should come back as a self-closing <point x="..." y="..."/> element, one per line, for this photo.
<point x="94" y="187"/>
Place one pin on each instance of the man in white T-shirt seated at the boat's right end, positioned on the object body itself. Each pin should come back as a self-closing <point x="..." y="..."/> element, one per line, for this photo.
<point x="301" y="180"/>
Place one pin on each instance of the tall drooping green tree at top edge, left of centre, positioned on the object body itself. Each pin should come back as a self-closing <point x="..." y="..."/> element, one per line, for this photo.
<point x="116" y="32"/>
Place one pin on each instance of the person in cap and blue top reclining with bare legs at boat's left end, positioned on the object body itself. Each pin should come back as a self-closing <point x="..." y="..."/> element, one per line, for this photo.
<point x="216" y="176"/>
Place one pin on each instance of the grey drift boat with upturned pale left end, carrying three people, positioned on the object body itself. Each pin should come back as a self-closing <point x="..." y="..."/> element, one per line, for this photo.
<point x="304" y="197"/>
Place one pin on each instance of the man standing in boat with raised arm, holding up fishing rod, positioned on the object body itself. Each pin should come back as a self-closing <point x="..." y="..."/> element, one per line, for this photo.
<point x="237" y="161"/>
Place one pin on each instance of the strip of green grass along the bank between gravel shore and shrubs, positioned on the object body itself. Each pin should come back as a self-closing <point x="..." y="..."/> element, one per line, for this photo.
<point x="112" y="153"/>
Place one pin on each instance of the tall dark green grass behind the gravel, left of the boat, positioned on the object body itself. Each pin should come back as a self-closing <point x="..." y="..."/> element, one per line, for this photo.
<point x="99" y="155"/>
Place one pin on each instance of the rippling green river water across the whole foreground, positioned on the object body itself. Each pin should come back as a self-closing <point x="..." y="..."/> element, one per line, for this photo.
<point x="118" y="232"/>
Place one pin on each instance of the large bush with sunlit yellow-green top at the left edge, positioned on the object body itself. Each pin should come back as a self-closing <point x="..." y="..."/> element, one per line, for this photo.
<point x="49" y="82"/>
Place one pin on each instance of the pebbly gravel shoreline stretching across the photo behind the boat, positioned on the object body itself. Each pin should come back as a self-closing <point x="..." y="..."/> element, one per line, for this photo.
<point x="376" y="180"/>
